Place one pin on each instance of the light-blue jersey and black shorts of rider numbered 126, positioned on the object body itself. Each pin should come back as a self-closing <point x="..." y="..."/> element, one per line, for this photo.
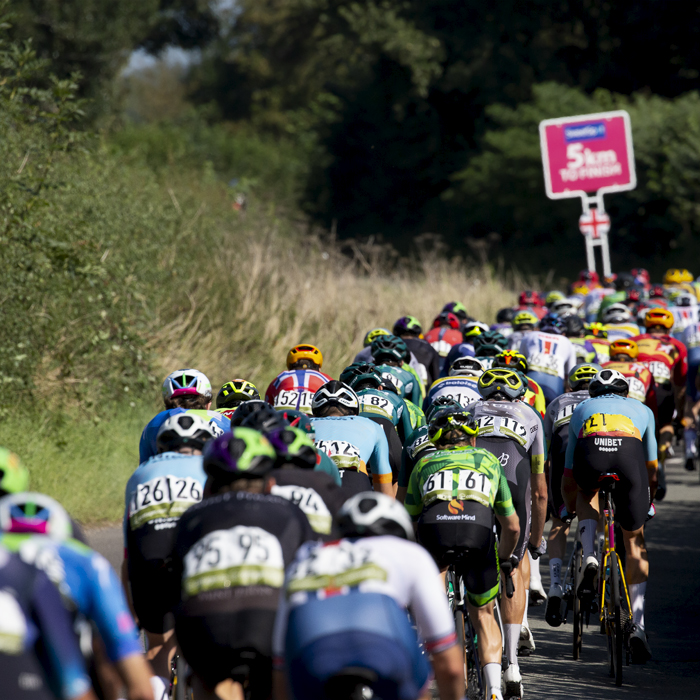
<point x="157" y="494"/>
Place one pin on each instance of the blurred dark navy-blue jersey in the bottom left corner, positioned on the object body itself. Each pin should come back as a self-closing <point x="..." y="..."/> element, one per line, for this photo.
<point x="36" y="631"/>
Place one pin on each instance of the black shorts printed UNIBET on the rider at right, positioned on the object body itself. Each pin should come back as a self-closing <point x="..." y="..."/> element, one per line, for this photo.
<point x="625" y="457"/>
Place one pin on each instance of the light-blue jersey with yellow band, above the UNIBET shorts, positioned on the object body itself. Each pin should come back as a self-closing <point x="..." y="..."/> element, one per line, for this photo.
<point x="612" y="417"/>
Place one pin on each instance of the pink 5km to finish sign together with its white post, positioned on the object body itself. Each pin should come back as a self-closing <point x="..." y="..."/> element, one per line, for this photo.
<point x="588" y="156"/>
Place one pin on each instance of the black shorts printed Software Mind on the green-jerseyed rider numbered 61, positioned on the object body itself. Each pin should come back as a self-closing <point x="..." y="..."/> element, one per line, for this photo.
<point x="447" y="539"/>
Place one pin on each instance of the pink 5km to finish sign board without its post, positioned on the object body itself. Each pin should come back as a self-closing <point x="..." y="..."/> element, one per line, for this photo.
<point x="588" y="153"/>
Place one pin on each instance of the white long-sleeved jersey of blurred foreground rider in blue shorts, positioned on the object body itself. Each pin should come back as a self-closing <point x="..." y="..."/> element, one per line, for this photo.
<point x="387" y="565"/>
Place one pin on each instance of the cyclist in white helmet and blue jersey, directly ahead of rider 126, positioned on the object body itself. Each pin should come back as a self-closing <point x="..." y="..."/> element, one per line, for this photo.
<point x="186" y="390"/>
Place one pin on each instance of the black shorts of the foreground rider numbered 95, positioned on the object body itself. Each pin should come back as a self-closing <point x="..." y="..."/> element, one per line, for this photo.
<point x="214" y="645"/>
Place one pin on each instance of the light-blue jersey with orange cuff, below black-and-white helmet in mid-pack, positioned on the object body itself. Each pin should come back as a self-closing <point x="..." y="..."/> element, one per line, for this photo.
<point x="355" y="442"/>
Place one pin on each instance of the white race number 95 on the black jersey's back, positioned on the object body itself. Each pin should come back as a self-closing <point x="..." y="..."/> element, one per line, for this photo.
<point x="241" y="556"/>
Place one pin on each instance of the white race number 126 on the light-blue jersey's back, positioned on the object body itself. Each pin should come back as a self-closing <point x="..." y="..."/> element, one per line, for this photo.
<point x="166" y="497"/>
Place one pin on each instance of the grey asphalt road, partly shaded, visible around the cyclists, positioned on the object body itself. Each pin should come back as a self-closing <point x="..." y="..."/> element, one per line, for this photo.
<point x="672" y="614"/>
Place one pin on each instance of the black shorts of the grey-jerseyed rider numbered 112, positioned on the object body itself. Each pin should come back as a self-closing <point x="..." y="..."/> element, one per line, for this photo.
<point x="516" y="466"/>
